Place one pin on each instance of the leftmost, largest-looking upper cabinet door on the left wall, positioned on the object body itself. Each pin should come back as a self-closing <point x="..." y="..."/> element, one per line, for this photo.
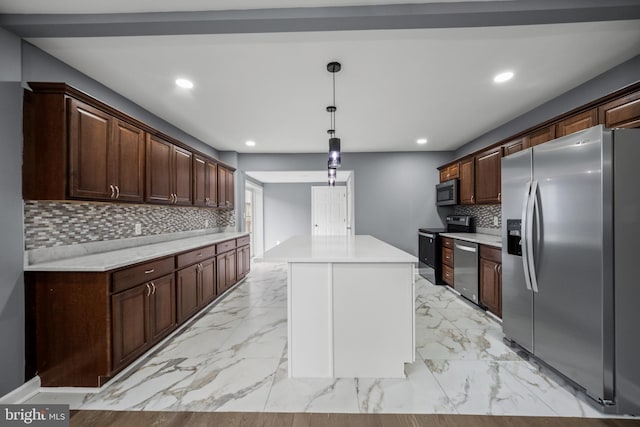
<point x="89" y="136"/>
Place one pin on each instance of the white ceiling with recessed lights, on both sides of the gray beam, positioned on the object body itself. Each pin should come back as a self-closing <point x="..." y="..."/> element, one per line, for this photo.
<point x="395" y="86"/>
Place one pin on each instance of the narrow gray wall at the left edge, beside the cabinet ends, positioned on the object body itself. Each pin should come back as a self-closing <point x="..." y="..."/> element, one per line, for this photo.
<point x="11" y="255"/>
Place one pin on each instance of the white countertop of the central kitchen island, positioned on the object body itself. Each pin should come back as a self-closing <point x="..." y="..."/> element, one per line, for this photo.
<point x="338" y="249"/>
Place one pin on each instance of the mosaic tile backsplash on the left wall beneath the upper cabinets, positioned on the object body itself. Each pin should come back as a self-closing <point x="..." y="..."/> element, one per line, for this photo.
<point x="53" y="223"/>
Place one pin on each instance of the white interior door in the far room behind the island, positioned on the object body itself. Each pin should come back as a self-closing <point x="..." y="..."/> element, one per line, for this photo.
<point x="328" y="211"/>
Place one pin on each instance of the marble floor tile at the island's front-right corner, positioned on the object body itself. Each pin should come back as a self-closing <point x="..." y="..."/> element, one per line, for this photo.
<point x="419" y="392"/>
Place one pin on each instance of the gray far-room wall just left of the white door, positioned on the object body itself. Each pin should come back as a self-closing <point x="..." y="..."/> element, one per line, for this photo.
<point x="287" y="212"/>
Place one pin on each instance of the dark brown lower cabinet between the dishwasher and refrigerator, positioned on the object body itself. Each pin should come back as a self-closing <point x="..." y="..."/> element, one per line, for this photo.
<point x="491" y="279"/>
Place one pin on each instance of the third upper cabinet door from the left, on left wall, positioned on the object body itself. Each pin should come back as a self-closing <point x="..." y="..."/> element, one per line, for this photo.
<point x="159" y="170"/>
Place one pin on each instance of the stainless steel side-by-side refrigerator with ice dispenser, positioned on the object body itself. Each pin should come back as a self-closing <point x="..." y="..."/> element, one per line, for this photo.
<point x="570" y="286"/>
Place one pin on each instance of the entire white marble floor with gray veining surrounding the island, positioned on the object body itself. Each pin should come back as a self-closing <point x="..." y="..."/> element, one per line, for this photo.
<point x="233" y="358"/>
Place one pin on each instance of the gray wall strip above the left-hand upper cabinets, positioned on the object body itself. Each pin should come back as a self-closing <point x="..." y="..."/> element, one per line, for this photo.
<point x="39" y="66"/>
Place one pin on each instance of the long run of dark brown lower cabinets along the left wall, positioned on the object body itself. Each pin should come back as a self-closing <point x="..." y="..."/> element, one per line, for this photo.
<point x="82" y="328"/>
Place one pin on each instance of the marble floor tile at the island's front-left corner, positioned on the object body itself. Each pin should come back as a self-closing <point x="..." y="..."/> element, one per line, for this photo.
<point x="311" y="394"/>
